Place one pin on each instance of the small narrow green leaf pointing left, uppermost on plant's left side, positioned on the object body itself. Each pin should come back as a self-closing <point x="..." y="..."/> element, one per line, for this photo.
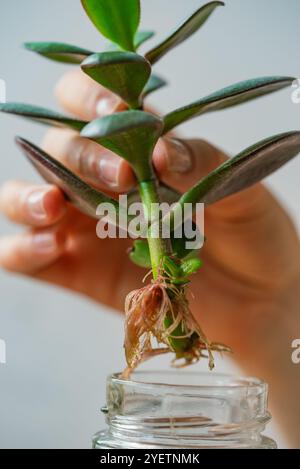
<point x="58" y="51"/>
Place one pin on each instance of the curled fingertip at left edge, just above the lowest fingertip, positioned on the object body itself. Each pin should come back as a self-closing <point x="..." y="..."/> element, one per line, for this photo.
<point x="29" y="204"/>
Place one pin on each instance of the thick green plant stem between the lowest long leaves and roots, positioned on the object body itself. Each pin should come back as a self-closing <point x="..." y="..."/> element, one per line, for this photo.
<point x="158" y="247"/>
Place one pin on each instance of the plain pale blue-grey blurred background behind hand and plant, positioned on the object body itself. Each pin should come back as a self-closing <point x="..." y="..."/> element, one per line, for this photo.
<point x="60" y="347"/>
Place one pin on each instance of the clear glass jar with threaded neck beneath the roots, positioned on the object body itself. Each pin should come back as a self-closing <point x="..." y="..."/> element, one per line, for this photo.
<point x="179" y="409"/>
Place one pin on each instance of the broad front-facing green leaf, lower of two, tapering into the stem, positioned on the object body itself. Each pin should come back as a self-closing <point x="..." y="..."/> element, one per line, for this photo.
<point x="130" y="134"/>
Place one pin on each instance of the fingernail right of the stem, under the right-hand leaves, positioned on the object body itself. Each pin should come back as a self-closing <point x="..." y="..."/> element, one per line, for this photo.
<point x="178" y="156"/>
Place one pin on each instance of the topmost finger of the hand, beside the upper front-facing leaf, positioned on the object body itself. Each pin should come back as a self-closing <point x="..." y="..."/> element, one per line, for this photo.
<point x="78" y="94"/>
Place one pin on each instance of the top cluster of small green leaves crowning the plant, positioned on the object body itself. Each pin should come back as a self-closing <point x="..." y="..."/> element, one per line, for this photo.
<point x="118" y="20"/>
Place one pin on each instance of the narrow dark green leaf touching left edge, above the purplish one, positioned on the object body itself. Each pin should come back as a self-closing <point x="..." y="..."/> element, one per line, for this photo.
<point x="41" y="115"/>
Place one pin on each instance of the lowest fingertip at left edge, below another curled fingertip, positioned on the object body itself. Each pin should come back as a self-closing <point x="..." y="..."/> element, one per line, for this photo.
<point x="30" y="252"/>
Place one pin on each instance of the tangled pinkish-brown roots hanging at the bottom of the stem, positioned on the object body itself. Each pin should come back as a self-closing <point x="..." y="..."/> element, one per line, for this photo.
<point x="160" y="312"/>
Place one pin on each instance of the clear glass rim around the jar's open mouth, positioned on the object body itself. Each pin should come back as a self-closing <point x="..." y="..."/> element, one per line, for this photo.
<point x="209" y="380"/>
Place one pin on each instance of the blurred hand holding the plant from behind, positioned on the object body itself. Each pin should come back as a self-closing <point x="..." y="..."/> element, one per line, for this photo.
<point x="251" y="257"/>
